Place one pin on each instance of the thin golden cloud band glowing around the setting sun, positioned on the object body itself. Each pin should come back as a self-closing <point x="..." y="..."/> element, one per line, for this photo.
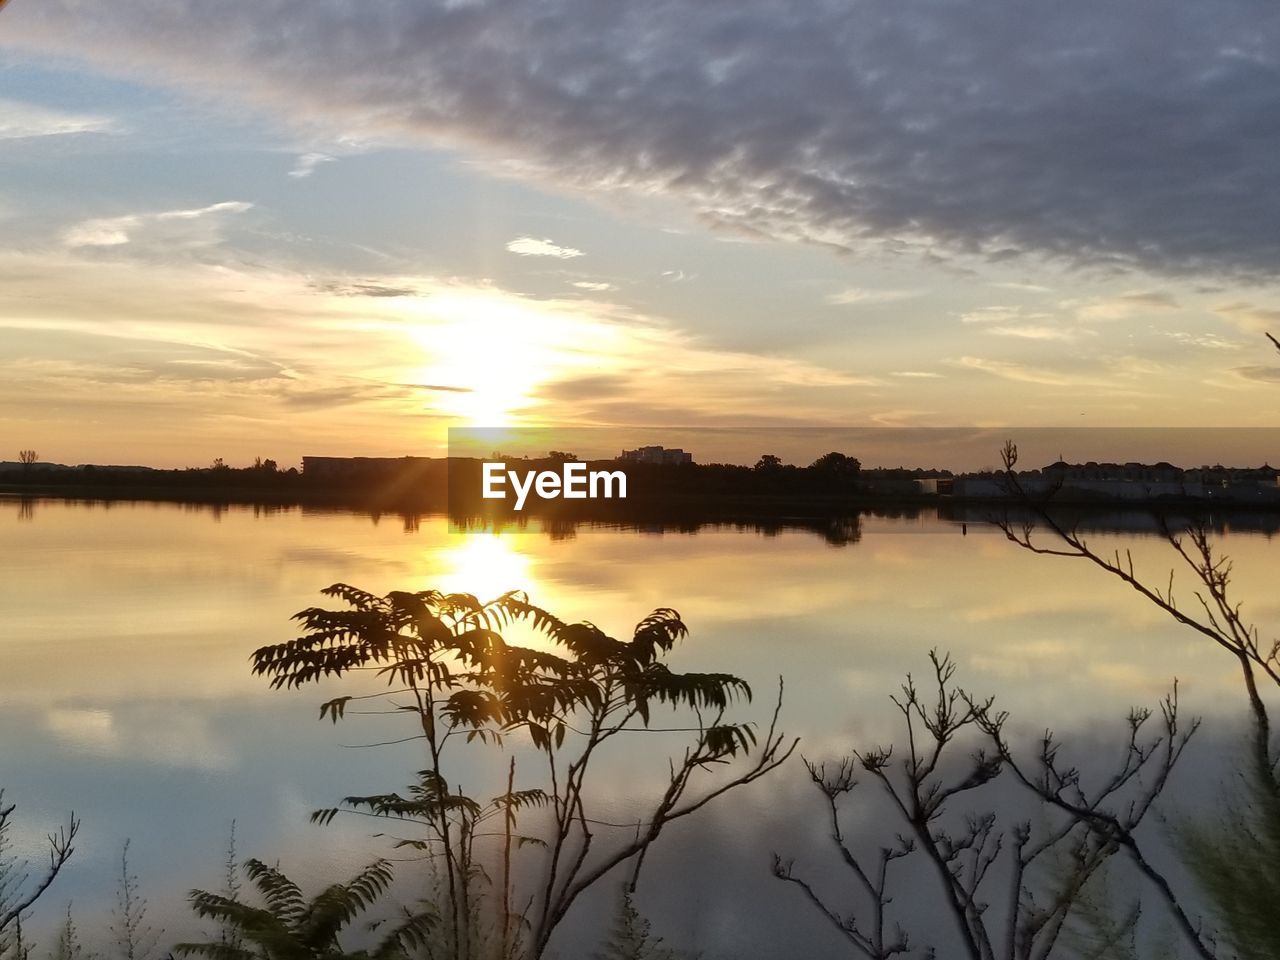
<point x="241" y="350"/>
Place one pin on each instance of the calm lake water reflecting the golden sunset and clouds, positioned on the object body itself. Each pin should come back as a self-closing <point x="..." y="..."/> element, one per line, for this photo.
<point x="126" y="692"/>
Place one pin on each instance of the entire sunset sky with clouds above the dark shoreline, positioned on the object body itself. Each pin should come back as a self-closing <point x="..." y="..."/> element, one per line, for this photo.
<point x="284" y="228"/>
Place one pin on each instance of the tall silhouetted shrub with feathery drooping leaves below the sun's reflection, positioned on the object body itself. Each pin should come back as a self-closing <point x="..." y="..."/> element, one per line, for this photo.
<point x="465" y="684"/>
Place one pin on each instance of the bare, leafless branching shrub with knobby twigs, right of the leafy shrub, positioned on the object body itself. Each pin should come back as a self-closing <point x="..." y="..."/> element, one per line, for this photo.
<point x="1034" y="876"/>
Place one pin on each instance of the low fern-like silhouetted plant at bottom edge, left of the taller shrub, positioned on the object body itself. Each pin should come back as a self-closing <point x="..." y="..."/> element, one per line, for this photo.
<point x="291" y="927"/>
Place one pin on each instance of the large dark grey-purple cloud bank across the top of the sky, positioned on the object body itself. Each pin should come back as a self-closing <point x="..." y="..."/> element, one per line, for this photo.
<point x="1095" y="134"/>
